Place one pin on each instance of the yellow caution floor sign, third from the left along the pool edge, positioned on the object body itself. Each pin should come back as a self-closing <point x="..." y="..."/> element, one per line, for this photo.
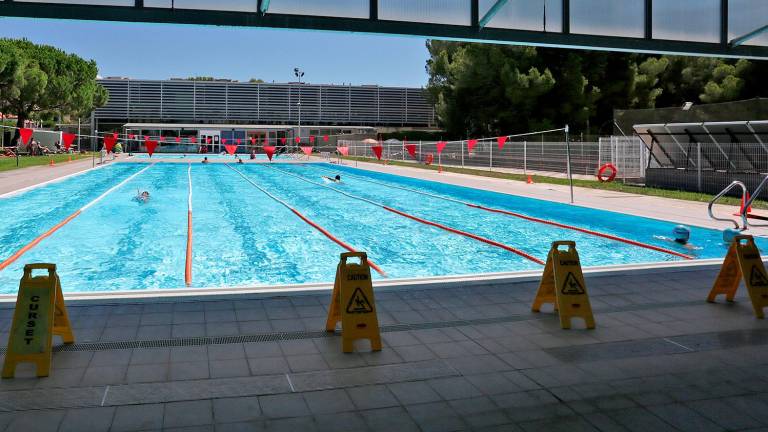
<point x="563" y="285"/>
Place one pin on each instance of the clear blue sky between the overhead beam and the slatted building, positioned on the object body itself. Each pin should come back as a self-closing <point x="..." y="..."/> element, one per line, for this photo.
<point x="156" y="51"/>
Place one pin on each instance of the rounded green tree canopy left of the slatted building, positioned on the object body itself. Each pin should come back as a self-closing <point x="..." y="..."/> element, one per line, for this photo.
<point x="39" y="80"/>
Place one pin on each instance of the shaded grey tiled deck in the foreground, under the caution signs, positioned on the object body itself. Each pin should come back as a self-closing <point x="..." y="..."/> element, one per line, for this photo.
<point x="661" y="358"/>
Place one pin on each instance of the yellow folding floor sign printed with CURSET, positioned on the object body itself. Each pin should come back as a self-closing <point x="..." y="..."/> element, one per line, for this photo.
<point x="40" y="314"/>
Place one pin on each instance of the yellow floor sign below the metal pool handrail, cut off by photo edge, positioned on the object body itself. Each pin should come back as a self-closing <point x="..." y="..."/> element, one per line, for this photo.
<point x="743" y="260"/>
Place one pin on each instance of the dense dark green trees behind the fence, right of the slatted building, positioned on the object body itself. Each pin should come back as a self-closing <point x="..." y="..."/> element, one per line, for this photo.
<point x="486" y="90"/>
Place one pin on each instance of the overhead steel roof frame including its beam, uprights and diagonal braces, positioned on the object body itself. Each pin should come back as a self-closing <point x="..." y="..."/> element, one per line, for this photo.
<point x="261" y="14"/>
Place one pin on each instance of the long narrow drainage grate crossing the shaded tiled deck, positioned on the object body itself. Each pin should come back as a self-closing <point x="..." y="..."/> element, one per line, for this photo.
<point x="299" y="335"/>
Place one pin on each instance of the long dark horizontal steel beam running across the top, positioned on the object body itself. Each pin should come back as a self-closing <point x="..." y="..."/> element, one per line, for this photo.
<point x="376" y="26"/>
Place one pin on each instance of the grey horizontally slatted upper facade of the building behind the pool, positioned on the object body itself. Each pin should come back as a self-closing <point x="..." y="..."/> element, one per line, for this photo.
<point x="179" y="101"/>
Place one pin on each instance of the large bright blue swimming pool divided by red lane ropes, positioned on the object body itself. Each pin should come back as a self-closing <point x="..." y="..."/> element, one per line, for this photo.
<point x="251" y="226"/>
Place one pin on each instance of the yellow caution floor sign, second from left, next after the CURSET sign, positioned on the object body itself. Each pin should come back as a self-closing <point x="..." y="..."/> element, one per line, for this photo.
<point x="353" y="304"/>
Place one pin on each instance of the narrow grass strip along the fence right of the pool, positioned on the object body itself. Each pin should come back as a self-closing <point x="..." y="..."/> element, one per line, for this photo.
<point x="612" y="186"/>
